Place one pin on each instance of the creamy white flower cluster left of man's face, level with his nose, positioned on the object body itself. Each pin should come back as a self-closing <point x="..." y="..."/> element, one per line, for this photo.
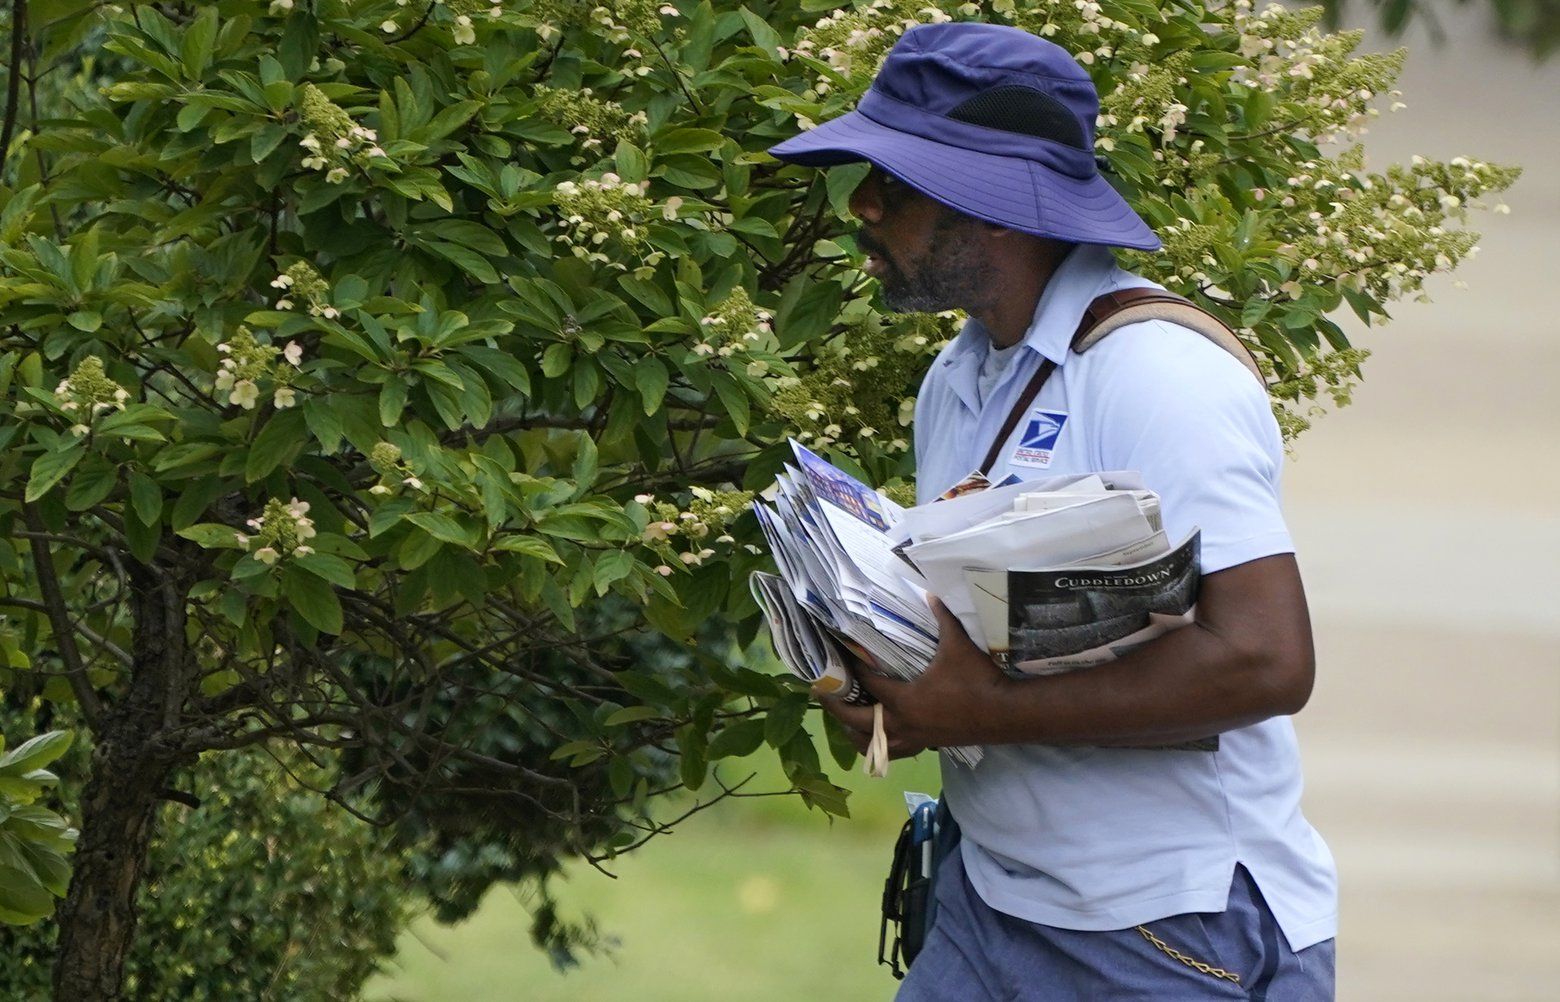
<point x="608" y="213"/>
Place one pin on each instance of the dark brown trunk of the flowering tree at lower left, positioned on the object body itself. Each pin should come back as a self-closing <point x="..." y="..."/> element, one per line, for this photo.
<point x="130" y="767"/>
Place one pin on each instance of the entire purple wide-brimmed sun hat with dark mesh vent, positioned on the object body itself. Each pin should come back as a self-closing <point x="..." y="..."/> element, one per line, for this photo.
<point x="990" y="121"/>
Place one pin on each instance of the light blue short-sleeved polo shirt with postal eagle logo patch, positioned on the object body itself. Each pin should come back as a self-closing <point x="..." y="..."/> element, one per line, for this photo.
<point x="1099" y="839"/>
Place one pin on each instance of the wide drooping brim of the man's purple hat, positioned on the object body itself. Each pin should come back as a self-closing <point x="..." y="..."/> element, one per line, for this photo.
<point x="1009" y="191"/>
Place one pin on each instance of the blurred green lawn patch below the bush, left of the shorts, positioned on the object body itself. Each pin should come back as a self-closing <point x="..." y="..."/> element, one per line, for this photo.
<point x="756" y="900"/>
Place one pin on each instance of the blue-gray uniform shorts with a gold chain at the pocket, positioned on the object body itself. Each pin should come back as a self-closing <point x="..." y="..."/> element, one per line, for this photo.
<point x="977" y="954"/>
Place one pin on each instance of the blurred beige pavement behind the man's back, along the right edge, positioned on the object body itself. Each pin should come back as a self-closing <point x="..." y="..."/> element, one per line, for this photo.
<point x="1428" y="519"/>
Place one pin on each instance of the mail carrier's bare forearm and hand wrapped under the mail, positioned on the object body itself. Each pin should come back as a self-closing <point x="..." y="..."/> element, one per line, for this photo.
<point x="1249" y="656"/>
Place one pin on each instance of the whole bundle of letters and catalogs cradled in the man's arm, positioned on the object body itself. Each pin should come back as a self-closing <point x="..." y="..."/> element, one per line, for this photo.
<point x="1044" y="575"/>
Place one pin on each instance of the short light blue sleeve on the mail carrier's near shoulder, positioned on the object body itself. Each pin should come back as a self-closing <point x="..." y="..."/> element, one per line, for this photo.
<point x="1200" y="430"/>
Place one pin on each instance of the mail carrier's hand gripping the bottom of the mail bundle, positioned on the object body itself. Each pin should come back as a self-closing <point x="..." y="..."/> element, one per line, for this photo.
<point x="949" y="705"/>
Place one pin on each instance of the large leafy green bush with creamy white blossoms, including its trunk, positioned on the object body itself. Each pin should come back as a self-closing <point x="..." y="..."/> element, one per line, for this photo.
<point x="394" y="341"/>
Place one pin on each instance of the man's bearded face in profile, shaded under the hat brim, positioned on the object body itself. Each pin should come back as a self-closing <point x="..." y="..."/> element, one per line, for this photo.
<point x="927" y="257"/>
